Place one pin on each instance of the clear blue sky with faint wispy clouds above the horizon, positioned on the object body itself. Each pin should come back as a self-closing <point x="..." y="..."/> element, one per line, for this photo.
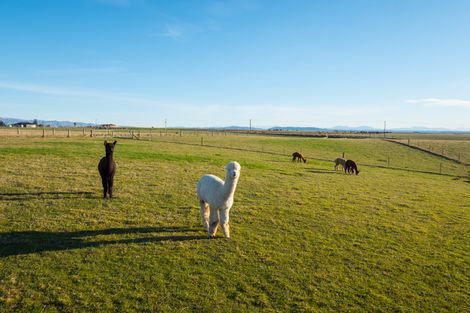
<point x="217" y="63"/>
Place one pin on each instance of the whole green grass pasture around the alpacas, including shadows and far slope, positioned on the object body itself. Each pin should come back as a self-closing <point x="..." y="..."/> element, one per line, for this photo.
<point x="304" y="238"/>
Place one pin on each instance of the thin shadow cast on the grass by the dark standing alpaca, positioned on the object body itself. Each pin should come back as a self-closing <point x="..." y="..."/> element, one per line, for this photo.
<point x="21" y="196"/>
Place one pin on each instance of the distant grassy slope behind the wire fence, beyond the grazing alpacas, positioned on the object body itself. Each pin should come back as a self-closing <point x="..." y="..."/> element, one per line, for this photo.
<point x="367" y="152"/>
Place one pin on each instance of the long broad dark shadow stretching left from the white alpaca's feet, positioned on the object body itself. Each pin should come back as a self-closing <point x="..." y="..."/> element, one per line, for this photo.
<point x="25" y="242"/>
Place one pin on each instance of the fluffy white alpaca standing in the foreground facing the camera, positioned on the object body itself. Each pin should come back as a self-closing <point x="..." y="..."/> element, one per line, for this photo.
<point x="216" y="198"/>
